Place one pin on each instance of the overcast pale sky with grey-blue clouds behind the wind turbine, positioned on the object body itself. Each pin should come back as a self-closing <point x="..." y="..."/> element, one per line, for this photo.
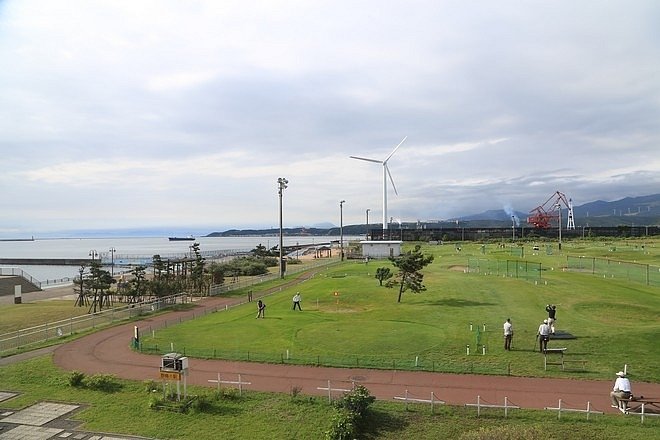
<point x="183" y="114"/>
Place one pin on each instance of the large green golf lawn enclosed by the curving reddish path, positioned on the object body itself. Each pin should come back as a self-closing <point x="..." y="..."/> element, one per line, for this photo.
<point x="349" y="320"/>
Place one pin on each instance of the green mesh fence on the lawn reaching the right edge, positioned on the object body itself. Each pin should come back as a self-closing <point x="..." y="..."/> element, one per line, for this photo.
<point x="636" y="272"/>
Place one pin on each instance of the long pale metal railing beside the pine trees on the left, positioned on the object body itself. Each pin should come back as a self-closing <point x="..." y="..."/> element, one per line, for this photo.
<point x="19" y="339"/>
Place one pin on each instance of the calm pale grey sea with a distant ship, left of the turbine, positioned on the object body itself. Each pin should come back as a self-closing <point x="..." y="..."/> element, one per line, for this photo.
<point x="83" y="248"/>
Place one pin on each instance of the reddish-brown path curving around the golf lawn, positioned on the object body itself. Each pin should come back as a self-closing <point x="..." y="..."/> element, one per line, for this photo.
<point x="109" y="351"/>
